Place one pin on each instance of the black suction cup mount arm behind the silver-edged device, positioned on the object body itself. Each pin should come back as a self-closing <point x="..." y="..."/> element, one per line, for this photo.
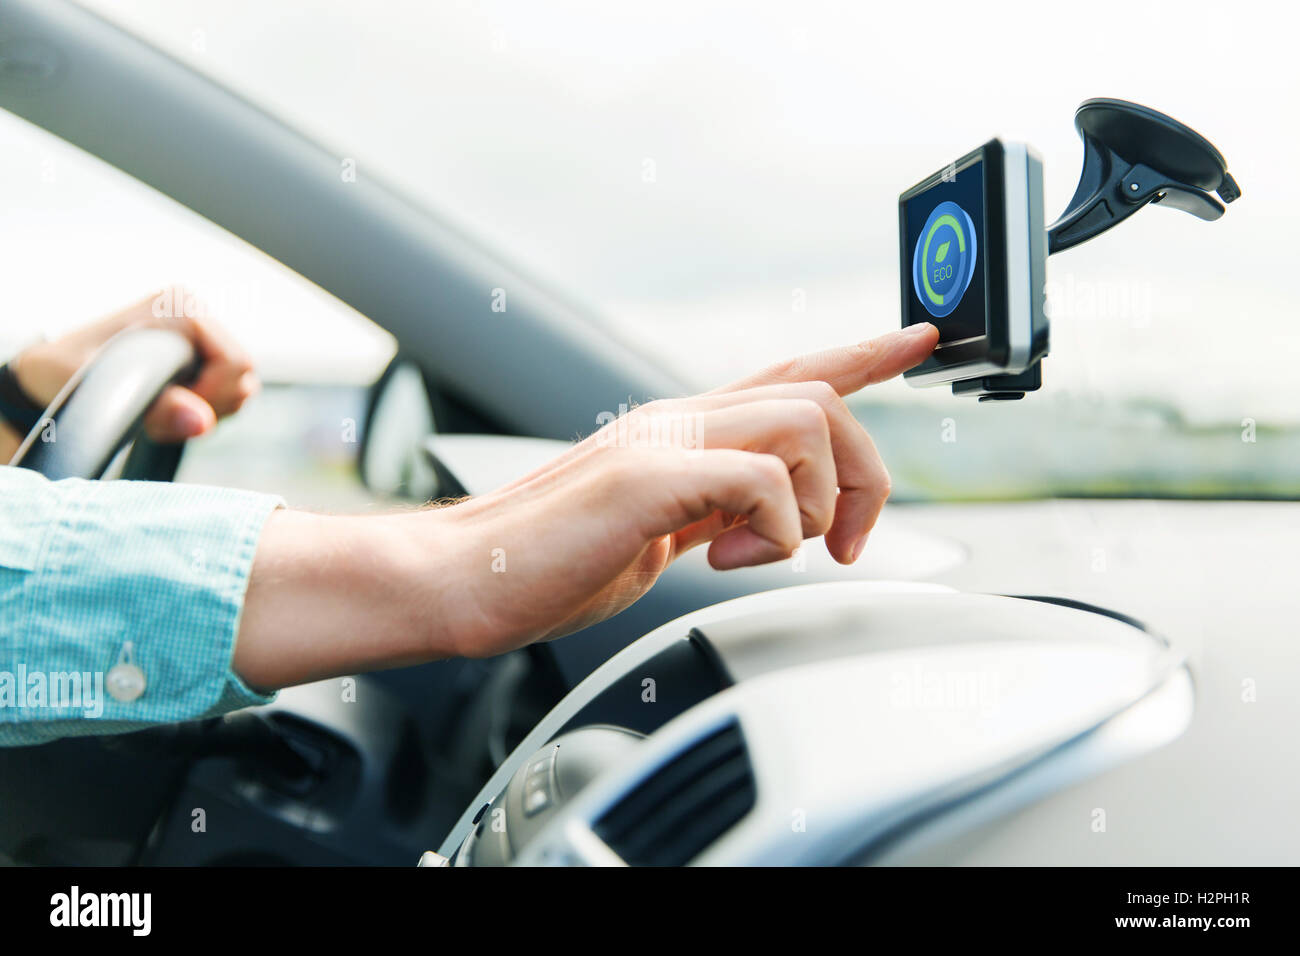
<point x="1133" y="157"/>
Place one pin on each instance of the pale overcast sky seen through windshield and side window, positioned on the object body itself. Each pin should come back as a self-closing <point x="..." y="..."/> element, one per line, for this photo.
<point x="779" y="137"/>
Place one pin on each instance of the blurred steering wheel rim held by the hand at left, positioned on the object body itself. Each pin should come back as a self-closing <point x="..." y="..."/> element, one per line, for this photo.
<point x="102" y="408"/>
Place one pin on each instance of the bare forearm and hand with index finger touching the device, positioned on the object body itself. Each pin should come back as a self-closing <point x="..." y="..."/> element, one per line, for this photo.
<point x="762" y="465"/>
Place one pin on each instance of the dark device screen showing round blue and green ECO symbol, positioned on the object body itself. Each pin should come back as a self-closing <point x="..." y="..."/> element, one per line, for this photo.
<point x="946" y="231"/>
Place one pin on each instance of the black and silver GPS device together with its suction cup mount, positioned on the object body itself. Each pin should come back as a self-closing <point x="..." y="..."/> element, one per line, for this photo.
<point x="973" y="245"/>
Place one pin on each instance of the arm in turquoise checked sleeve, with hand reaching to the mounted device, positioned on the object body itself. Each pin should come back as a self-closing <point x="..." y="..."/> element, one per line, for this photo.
<point x="216" y="596"/>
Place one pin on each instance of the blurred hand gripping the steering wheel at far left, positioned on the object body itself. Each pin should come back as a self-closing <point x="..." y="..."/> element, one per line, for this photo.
<point x="226" y="382"/>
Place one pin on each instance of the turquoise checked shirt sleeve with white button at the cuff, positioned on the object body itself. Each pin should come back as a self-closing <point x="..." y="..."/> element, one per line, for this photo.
<point x="142" y="574"/>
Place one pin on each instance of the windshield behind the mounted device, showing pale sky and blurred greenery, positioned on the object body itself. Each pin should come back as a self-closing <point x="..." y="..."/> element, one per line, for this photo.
<point x="721" y="183"/>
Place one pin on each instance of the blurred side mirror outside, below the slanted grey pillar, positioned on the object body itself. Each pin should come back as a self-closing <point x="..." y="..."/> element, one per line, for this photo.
<point x="400" y="418"/>
